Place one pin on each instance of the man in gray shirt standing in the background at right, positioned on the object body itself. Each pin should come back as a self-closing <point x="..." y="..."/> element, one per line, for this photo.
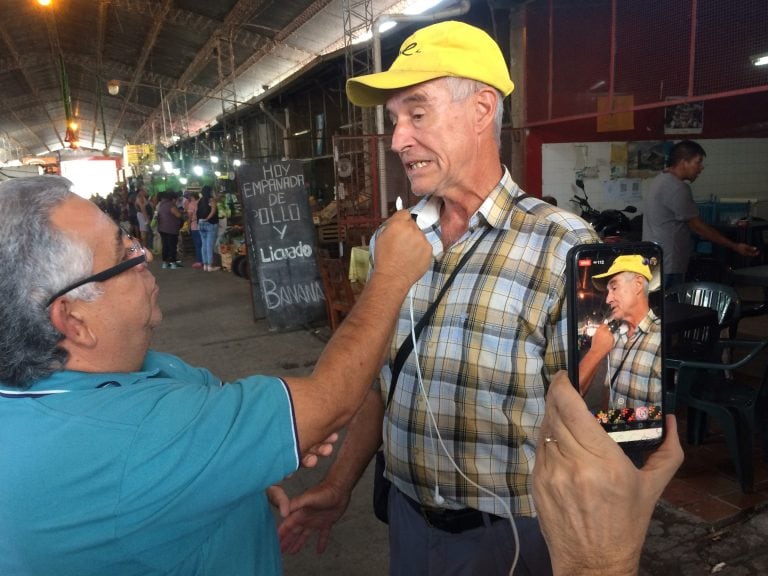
<point x="670" y="215"/>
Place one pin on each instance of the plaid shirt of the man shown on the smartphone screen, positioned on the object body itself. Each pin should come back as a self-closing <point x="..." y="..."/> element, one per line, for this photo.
<point x="639" y="363"/>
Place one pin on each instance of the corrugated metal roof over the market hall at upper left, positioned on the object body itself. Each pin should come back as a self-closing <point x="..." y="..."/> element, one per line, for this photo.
<point x="173" y="59"/>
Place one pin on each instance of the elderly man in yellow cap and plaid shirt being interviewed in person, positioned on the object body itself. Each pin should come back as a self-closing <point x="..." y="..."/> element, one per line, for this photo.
<point x="461" y="415"/>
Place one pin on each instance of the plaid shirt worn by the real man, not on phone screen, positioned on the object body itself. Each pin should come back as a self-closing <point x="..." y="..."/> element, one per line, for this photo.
<point x="496" y="339"/>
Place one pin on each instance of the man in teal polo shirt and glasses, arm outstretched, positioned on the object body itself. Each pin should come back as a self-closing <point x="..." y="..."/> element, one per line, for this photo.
<point x="119" y="460"/>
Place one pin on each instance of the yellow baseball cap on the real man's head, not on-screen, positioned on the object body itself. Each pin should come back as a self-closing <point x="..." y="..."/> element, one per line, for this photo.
<point x="445" y="49"/>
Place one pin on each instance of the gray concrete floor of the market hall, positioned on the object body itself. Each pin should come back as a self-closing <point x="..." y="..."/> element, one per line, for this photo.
<point x="209" y="322"/>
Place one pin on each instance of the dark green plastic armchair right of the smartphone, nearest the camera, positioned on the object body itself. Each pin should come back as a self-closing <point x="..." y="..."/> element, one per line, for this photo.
<point x="737" y="406"/>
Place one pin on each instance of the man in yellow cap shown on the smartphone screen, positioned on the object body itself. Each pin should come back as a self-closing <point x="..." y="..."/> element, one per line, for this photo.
<point x="631" y="340"/>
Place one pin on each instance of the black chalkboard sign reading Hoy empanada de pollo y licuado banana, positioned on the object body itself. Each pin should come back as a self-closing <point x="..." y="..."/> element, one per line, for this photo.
<point x="280" y="235"/>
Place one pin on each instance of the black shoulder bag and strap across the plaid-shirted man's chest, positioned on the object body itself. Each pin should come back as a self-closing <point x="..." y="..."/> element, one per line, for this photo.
<point x="381" y="485"/>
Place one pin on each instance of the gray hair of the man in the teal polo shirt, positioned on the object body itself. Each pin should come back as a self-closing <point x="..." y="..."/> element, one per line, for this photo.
<point x="36" y="260"/>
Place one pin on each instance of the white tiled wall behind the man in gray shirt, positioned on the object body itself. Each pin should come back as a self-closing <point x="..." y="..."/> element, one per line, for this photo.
<point x="735" y="169"/>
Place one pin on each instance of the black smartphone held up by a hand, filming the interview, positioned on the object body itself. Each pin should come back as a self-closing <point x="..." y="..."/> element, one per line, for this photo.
<point x="616" y="338"/>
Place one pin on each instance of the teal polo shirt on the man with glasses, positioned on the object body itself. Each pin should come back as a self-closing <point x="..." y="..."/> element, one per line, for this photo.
<point x="161" y="471"/>
